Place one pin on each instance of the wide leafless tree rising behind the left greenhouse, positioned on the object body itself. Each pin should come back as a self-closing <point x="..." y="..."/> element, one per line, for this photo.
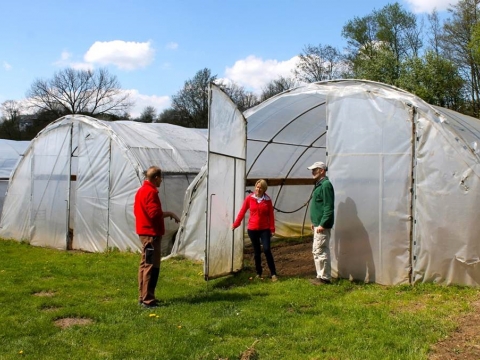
<point x="73" y="91"/>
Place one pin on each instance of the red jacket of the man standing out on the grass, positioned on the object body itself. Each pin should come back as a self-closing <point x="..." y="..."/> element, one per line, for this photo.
<point x="148" y="211"/>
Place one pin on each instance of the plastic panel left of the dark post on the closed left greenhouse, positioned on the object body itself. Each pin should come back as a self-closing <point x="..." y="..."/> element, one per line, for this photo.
<point x="50" y="186"/>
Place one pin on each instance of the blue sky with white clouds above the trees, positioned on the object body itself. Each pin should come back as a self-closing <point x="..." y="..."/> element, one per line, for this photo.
<point x="154" y="46"/>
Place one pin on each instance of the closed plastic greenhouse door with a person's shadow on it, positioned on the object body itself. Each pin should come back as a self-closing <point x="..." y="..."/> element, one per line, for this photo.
<point x="369" y="147"/>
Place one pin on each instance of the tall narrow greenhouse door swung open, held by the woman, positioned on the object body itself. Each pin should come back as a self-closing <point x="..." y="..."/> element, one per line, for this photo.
<point x="225" y="185"/>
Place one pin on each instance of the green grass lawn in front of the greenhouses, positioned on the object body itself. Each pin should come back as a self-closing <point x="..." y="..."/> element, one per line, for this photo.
<point x="289" y="319"/>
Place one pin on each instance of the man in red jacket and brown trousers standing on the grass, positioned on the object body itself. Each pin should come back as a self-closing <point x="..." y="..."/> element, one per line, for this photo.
<point x="150" y="227"/>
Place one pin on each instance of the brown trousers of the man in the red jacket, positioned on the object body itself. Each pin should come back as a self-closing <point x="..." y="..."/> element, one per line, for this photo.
<point x="149" y="269"/>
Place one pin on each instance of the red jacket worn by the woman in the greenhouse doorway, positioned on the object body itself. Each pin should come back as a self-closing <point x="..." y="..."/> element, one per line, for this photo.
<point x="261" y="214"/>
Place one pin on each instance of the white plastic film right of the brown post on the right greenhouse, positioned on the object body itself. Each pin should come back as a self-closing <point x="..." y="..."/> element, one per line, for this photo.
<point x="446" y="248"/>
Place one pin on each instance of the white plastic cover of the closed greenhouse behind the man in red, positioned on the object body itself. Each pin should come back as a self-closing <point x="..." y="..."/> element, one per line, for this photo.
<point x="75" y="186"/>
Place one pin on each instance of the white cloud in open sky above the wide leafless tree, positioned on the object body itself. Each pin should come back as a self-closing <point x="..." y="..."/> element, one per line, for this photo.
<point x="127" y="55"/>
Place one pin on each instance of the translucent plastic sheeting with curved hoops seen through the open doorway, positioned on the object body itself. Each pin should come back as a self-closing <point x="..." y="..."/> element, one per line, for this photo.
<point x="286" y="134"/>
